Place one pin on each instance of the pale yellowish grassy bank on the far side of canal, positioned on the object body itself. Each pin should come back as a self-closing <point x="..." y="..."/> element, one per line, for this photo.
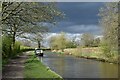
<point x="91" y="53"/>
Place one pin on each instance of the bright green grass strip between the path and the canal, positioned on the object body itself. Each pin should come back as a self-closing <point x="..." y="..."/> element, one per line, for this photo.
<point x="35" y="69"/>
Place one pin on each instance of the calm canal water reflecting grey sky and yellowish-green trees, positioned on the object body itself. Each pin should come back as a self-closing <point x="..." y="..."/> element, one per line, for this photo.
<point x="72" y="67"/>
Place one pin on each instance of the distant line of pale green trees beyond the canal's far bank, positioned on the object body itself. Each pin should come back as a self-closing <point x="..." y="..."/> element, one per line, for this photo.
<point x="60" y="41"/>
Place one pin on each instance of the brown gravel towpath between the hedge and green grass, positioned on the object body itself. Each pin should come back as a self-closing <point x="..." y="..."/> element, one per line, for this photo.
<point x="15" y="68"/>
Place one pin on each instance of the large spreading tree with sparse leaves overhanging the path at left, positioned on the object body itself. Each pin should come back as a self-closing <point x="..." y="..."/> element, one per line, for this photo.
<point x="24" y="17"/>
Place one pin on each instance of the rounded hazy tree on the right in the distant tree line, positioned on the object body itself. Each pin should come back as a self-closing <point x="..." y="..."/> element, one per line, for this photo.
<point x="87" y="40"/>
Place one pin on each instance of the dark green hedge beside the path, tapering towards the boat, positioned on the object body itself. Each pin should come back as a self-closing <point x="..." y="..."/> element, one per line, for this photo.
<point x="9" y="50"/>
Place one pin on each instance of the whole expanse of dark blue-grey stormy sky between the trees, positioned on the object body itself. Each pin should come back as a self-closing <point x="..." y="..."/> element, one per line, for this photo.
<point x="78" y="14"/>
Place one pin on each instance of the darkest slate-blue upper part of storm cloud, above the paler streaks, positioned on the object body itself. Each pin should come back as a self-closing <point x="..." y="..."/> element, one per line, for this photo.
<point x="82" y="13"/>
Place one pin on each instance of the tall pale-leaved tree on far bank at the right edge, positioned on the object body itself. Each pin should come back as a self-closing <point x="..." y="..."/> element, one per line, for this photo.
<point x="110" y="24"/>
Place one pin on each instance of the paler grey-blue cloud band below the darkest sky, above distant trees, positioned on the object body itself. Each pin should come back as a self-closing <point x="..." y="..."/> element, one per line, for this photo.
<point x="90" y="28"/>
